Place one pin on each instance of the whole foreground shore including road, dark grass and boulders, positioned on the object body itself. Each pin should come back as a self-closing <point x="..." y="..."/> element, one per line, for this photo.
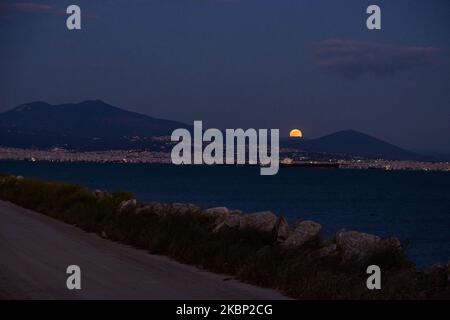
<point x="259" y="248"/>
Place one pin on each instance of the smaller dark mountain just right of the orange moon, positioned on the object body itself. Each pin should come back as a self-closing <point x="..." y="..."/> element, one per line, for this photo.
<point x="351" y="142"/>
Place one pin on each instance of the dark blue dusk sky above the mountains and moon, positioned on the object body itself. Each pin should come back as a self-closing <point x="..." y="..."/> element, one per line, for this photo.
<point x="241" y="63"/>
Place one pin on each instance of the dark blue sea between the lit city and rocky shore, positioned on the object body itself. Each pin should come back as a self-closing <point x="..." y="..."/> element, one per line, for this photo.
<point x="414" y="206"/>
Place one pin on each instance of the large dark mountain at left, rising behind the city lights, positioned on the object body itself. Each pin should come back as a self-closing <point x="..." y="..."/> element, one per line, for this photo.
<point x="91" y="124"/>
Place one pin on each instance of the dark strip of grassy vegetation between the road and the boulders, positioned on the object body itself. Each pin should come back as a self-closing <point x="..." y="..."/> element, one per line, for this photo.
<point x="190" y="235"/>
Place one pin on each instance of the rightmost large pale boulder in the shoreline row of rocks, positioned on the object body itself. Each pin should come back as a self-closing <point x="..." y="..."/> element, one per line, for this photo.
<point x="355" y="245"/>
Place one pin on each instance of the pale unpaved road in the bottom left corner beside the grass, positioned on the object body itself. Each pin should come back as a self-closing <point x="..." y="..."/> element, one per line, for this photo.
<point x="35" y="251"/>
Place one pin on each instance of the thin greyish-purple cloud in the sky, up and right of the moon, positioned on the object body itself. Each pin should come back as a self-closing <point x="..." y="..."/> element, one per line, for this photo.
<point x="353" y="58"/>
